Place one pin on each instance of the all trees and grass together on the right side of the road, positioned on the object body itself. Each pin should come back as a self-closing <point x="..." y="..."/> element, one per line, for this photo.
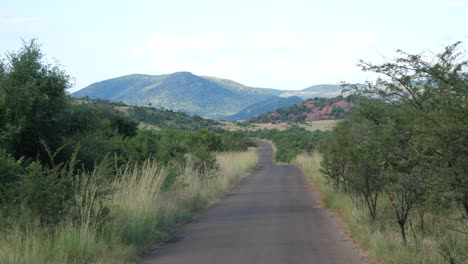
<point x="396" y="169"/>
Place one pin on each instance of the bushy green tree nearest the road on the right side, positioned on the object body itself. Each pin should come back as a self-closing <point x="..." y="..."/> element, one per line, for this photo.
<point x="353" y="156"/>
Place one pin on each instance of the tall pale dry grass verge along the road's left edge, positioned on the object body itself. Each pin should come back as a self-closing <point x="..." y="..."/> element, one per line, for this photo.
<point x="137" y="215"/>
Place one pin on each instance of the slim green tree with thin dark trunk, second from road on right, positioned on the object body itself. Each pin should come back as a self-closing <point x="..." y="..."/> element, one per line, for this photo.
<point x="408" y="176"/>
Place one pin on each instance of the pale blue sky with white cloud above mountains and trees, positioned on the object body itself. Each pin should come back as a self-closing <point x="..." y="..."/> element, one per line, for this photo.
<point x="286" y="45"/>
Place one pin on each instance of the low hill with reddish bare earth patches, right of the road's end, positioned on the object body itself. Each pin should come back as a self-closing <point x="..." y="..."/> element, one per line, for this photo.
<point x="311" y="110"/>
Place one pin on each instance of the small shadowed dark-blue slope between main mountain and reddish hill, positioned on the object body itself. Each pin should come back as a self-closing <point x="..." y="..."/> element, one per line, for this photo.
<point x="264" y="107"/>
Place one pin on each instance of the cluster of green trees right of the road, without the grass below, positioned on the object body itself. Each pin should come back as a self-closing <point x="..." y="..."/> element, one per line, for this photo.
<point x="409" y="140"/>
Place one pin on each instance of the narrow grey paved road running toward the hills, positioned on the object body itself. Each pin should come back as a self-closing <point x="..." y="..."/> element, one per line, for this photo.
<point x="271" y="217"/>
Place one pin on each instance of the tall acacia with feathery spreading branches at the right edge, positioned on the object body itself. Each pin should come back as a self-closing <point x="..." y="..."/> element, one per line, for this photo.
<point x="434" y="92"/>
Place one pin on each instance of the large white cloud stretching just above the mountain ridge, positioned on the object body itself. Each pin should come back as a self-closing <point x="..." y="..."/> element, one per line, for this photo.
<point x="284" y="62"/>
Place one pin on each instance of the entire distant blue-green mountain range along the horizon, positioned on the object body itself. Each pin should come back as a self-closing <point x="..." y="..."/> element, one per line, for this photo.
<point x="208" y="97"/>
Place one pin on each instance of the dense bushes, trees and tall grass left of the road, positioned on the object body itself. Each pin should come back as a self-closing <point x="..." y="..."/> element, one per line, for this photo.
<point x="82" y="183"/>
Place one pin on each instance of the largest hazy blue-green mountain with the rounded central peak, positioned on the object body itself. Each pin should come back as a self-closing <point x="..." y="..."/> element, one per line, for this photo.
<point x="182" y="91"/>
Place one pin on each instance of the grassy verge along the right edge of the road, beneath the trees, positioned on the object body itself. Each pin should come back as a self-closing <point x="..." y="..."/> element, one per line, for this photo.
<point x="381" y="240"/>
